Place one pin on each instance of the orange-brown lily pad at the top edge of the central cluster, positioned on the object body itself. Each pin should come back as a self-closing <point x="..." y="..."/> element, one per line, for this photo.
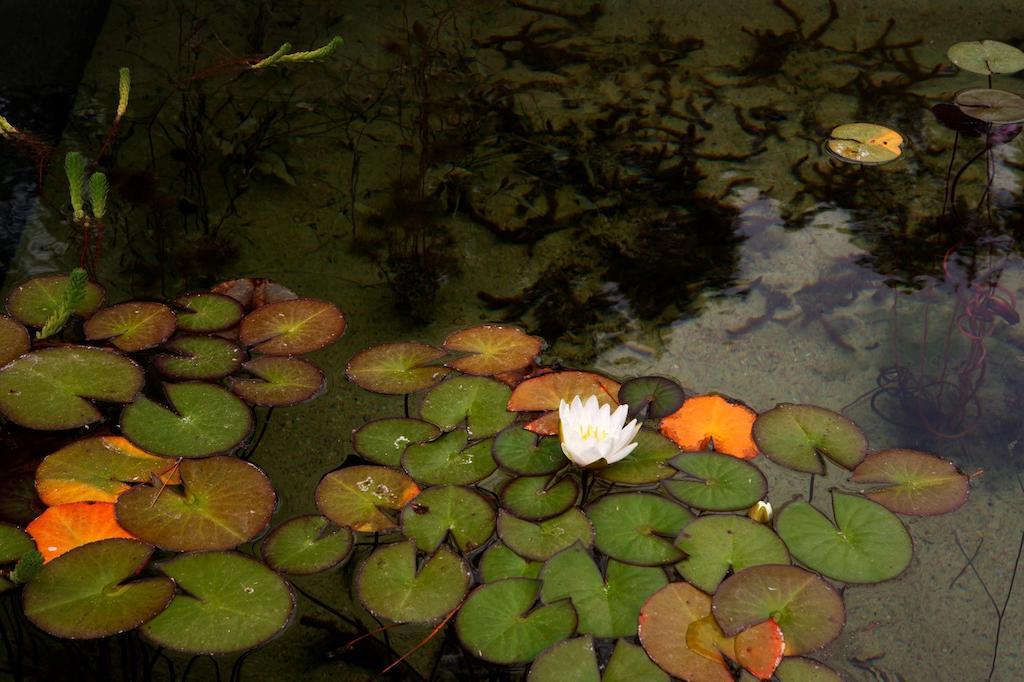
<point x="493" y="350"/>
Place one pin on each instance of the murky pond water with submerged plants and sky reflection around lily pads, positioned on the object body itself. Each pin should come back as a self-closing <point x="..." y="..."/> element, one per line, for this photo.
<point x="642" y="184"/>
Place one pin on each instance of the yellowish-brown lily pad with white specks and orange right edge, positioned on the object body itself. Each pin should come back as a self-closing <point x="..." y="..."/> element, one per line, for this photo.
<point x="366" y="499"/>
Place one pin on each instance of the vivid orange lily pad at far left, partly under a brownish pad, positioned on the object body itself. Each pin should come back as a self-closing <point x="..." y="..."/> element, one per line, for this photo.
<point x="64" y="528"/>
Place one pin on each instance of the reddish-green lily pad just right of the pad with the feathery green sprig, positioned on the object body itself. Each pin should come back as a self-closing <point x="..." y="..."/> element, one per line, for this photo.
<point x="134" y="326"/>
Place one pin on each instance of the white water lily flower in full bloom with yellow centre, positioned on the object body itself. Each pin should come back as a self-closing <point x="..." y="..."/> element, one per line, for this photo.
<point x="592" y="433"/>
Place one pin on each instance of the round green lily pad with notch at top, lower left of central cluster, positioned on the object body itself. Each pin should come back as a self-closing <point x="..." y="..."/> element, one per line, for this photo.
<point x="391" y="587"/>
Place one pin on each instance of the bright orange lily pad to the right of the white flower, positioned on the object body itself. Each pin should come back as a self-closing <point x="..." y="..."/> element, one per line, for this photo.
<point x="713" y="421"/>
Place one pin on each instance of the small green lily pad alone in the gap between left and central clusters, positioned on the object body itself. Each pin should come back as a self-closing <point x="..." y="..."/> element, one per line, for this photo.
<point x="307" y="545"/>
